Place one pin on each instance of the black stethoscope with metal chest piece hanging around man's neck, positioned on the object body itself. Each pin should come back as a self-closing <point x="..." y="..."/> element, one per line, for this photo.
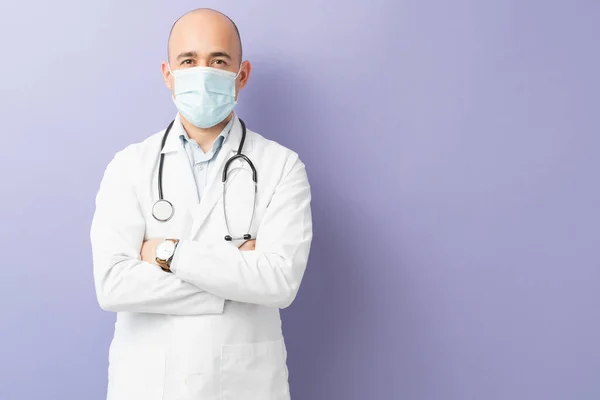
<point x="163" y="210"/>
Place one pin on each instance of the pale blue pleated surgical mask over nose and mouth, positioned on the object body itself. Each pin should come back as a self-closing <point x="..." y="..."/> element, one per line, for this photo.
<point x="204" y="96"/>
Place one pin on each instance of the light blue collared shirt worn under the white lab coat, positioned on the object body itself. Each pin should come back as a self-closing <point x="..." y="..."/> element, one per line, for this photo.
<point x="199" y="160"/>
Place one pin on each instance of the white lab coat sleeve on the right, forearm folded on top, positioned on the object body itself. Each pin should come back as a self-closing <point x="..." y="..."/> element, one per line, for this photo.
<point x="269" y="275"/>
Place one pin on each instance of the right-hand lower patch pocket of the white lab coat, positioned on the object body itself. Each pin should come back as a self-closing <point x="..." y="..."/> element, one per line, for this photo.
<point x="254" y="371"/>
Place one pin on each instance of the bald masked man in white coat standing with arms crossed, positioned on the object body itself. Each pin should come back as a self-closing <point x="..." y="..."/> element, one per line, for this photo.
<point x="198" y="315"/>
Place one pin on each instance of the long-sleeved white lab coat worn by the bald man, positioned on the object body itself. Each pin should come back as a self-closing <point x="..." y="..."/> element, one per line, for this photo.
<point x="212" y="330"/>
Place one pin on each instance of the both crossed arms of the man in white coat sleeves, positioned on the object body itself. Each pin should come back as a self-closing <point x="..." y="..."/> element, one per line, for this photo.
<point x="267" y="272"/>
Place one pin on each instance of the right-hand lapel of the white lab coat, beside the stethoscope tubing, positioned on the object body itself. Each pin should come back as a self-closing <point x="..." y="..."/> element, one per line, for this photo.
<point x="214" y="185"/>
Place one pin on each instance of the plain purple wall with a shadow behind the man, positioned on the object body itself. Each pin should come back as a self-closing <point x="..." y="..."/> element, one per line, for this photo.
<point x="452" y="148"/>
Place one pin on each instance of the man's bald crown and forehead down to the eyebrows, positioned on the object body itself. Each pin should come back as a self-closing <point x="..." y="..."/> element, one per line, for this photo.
<point x="204" y="27"/>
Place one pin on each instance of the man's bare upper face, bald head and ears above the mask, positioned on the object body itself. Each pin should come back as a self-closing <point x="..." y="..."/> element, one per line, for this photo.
<point x="205" y="39"/>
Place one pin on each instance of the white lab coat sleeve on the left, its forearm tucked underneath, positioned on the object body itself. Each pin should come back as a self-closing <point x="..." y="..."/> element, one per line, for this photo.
<point x="124" y="282"/>
